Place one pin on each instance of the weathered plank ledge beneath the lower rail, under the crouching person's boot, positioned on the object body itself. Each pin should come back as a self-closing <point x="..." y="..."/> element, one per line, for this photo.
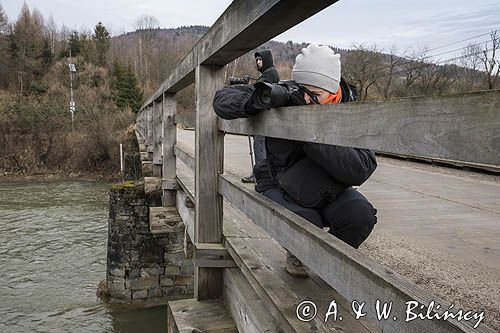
<point x="263" y="261"/>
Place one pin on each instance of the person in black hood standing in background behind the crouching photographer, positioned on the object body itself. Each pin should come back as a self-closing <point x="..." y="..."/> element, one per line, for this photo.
<point x="265" y="65"/>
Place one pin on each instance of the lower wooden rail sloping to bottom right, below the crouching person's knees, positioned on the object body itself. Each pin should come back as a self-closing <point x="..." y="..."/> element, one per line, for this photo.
<point x="347" y="270"/>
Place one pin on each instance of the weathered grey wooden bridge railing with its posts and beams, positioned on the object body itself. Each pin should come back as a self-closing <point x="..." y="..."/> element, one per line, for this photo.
<point x="448" y="128"/>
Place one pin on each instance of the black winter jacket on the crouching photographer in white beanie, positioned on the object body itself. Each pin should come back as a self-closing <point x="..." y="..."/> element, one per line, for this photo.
<point x="347" y="166"/>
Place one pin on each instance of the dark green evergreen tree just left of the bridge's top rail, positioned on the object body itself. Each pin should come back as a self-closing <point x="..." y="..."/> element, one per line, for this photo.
<point x="125" y="88"/>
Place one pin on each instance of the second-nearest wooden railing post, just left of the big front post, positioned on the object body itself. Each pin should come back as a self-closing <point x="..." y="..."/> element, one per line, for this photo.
<point x="169" y="106"/>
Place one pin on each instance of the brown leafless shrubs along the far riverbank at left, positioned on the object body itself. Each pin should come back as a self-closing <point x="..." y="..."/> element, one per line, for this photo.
<point x="38" y="136"/>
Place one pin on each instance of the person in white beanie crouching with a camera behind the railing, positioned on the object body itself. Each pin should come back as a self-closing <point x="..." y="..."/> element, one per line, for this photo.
<point x="347" y="214"/>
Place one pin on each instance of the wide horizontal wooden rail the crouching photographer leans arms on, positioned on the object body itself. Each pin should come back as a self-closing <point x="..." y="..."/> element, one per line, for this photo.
<point x="442" y="127"/>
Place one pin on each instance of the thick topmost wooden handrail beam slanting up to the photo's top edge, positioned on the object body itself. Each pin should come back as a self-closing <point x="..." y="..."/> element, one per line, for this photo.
<point x="243" y="26"/>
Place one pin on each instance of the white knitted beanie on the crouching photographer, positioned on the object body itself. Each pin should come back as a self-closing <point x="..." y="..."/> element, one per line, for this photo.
<point x="318" y="66"/>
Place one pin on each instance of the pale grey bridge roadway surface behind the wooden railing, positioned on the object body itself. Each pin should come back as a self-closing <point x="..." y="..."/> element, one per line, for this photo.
<point x="437" y="227"/>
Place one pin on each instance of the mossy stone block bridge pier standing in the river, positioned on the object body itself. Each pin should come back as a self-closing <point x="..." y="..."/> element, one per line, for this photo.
<point x="145" y="264"/>
